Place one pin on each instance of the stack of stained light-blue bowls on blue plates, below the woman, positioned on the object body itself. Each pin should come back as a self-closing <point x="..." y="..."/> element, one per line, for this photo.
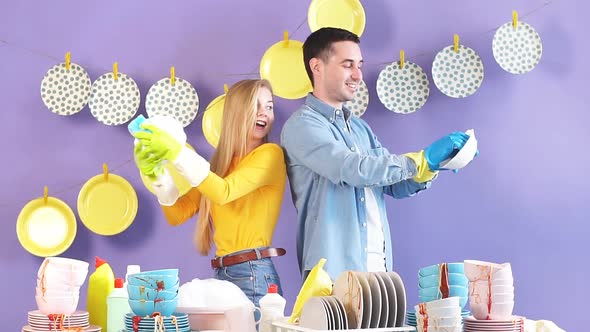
<point x="153" y="291"/>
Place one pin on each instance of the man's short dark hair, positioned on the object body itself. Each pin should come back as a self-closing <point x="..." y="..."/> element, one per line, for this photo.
<point x="319" y="45"/>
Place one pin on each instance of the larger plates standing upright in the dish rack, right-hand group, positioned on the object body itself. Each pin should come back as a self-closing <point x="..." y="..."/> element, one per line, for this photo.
<point x="371" y="299"/>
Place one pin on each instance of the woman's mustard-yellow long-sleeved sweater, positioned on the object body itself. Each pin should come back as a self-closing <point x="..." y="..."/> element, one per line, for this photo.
<point x="246" y="203"/>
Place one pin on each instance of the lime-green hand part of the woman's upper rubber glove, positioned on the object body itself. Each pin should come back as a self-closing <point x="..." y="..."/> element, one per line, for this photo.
<point x="158" y="143"/>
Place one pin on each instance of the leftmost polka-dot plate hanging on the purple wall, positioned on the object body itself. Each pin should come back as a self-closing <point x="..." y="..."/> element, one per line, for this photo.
<point x="63" y="91"/>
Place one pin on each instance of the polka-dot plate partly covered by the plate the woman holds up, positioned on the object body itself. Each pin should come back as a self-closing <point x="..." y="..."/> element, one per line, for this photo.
<point x="179" y="101"/>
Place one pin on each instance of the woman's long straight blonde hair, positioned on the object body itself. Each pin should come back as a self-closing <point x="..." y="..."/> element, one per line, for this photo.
<point x="238" y="121"/>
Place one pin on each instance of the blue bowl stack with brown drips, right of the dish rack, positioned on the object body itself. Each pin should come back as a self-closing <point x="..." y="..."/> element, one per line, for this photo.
<point x="432" y="281"/>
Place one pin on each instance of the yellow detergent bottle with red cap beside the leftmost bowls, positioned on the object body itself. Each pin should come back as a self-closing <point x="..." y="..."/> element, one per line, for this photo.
<point x="100" y="285"/>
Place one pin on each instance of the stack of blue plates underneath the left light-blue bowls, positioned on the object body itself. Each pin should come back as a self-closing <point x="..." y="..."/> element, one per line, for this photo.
<point x="177" y="322"/>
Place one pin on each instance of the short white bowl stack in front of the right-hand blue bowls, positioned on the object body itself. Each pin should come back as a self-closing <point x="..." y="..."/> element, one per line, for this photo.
<point x="439" y="316"/>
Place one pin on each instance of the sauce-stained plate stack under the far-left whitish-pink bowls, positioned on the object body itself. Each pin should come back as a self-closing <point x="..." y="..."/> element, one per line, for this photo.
<point x="56" y="322"/>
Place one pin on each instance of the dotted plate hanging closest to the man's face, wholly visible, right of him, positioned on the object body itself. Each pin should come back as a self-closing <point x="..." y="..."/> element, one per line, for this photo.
<point x="403" y="90"/>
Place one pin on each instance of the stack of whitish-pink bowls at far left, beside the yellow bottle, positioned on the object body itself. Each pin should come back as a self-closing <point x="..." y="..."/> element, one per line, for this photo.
<point x="58" y="285"/>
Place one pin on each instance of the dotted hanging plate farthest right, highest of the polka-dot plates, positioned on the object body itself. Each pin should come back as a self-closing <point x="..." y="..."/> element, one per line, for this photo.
<point x="517" y="50"/>
